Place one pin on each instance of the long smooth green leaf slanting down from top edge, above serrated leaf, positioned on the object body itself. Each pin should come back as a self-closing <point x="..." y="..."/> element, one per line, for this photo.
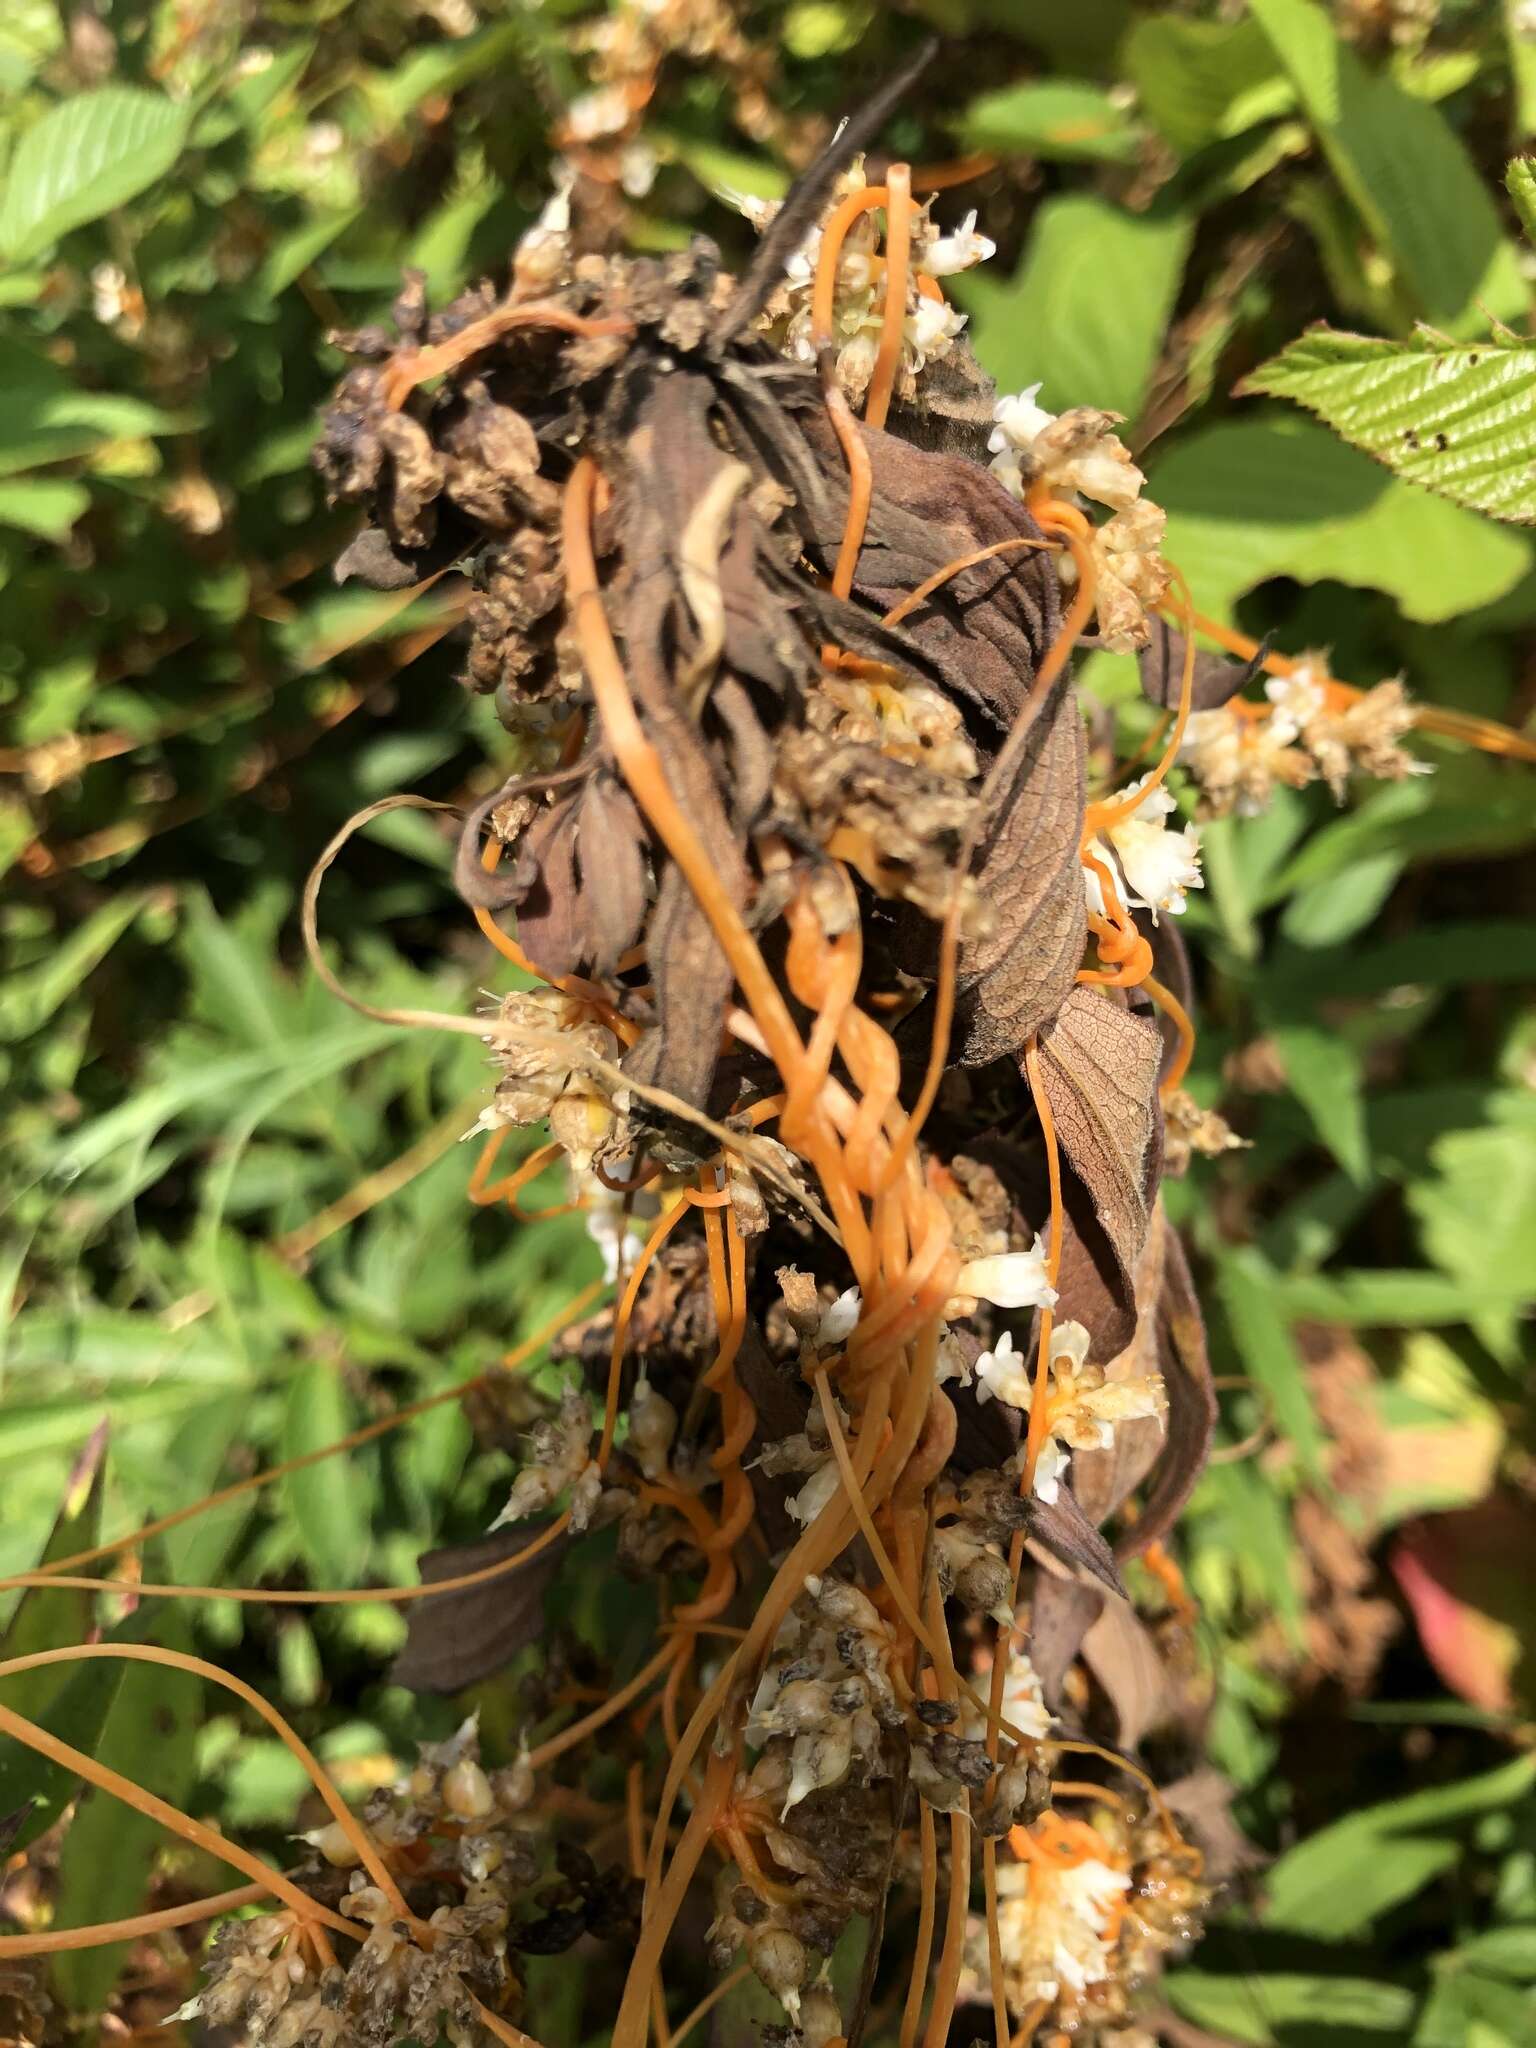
<point x="1404" y="171"/>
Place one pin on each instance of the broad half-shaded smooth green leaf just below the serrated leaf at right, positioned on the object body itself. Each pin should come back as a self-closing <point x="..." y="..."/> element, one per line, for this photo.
<point x="1258" y="499"/>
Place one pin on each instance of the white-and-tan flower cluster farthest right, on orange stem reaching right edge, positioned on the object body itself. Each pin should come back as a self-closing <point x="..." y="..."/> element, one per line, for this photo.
<point x="1314" y="730"/>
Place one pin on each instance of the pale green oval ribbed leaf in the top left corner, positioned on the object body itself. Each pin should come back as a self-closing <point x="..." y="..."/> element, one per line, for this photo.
<point x="83" y="159"/>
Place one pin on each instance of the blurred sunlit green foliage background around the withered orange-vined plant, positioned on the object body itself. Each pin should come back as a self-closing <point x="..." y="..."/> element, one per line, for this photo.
<point x="196" y="196"/>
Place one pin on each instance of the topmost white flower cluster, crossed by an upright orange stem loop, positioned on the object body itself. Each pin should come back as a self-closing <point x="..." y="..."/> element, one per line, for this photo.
<point x="931" y="323"/>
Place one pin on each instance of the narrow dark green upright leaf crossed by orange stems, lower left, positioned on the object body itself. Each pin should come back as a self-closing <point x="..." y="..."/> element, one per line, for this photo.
<point x="110" y="1848"/>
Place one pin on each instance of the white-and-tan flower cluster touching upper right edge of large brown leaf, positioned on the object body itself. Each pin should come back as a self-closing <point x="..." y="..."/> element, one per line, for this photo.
<point x="1078" y="456"/>
